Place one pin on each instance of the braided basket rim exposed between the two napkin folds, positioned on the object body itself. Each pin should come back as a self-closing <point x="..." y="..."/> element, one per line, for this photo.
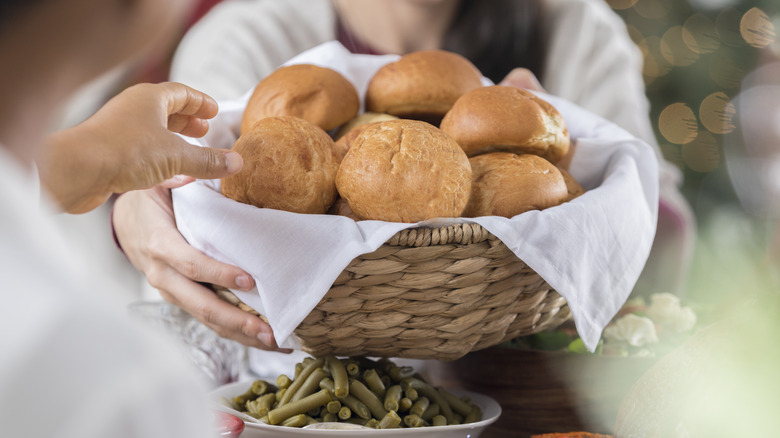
<point x="461" y="233"/>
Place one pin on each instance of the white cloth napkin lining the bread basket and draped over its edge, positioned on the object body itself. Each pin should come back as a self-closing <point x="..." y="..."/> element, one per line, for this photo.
<point x="591" y="250"/>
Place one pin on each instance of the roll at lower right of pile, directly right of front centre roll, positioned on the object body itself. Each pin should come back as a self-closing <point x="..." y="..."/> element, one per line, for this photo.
<point x="507" y="184"/>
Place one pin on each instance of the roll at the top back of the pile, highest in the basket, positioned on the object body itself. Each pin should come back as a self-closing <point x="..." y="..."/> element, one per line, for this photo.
<point x="421" y="85"/>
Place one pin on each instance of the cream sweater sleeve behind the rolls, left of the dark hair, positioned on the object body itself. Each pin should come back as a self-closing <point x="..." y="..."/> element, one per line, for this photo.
<point x="239" y="42"/>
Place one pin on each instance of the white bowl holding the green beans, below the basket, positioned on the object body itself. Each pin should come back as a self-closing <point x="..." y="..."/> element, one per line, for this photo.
<point x="490" y="413"/>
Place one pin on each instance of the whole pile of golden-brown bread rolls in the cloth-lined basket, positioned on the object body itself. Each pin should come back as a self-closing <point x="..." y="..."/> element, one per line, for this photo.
<point x="433" y="142"/>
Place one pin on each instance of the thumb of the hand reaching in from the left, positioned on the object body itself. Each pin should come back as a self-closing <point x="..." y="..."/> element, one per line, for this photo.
<point x="206" y="163"/>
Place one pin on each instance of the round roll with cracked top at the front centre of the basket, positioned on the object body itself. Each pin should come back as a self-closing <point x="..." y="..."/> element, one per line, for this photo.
<point x="404" y="171"/>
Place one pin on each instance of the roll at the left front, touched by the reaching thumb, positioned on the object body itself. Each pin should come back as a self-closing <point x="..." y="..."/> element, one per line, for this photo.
<point x="289" y="164"/>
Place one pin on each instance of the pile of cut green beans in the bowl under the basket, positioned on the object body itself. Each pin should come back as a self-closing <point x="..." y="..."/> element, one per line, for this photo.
<point x="359" y="390"/>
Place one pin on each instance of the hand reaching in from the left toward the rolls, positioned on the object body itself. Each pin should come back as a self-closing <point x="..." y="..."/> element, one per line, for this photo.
<point x="130" y="144"/>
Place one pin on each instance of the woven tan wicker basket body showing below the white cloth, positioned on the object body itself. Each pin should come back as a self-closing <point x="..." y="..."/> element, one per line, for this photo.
<point x="429" y="293"/>
